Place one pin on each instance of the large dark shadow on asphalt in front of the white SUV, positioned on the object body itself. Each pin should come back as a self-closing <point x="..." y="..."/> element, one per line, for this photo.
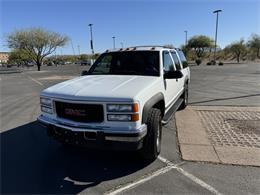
<point x="32" y="163"/>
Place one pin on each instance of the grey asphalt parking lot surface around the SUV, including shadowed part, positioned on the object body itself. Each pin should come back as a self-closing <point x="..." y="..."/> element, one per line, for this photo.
<point x="33" y="163"/>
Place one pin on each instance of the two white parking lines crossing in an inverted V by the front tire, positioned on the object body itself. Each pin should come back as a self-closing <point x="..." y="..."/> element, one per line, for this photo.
<point x="169" y="166"/>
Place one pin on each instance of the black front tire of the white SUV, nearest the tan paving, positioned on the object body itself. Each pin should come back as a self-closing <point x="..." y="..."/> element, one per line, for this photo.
<point x="152" y="141"/>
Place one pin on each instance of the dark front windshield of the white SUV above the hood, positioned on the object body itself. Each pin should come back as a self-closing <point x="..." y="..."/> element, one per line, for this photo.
<point x="127" y="63"/>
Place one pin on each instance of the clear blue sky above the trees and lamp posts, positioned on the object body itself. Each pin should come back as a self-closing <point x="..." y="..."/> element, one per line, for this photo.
<point x="132" y="22"/>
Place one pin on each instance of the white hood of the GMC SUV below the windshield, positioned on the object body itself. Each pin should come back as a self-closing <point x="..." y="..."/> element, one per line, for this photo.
<point x="101" y="87"/>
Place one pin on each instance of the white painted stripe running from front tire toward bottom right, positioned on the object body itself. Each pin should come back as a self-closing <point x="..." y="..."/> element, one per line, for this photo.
<point x="190" y="176"/>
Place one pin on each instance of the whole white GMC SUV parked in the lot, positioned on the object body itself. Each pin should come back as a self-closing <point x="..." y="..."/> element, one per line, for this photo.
<point x="121" y="102"/>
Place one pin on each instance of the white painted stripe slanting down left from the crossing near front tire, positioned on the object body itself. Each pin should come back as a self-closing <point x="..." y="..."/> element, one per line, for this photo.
<point x="140" y="181"/>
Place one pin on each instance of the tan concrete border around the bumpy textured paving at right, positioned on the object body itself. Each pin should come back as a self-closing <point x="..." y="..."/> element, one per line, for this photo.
<point x="195" y="144"/>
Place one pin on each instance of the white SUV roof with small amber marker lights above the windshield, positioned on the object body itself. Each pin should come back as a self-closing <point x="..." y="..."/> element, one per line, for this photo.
<point x="142" y="48"/>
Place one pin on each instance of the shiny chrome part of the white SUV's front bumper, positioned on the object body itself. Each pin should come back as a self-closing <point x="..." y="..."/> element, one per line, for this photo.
<point x="109" y="135"/>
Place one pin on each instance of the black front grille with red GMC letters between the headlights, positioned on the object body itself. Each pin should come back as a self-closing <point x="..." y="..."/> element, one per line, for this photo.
<point x="86" y="113"/>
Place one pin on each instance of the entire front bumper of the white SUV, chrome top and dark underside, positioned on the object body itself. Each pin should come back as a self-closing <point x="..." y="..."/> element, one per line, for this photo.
<point x="93" y="137"/>
